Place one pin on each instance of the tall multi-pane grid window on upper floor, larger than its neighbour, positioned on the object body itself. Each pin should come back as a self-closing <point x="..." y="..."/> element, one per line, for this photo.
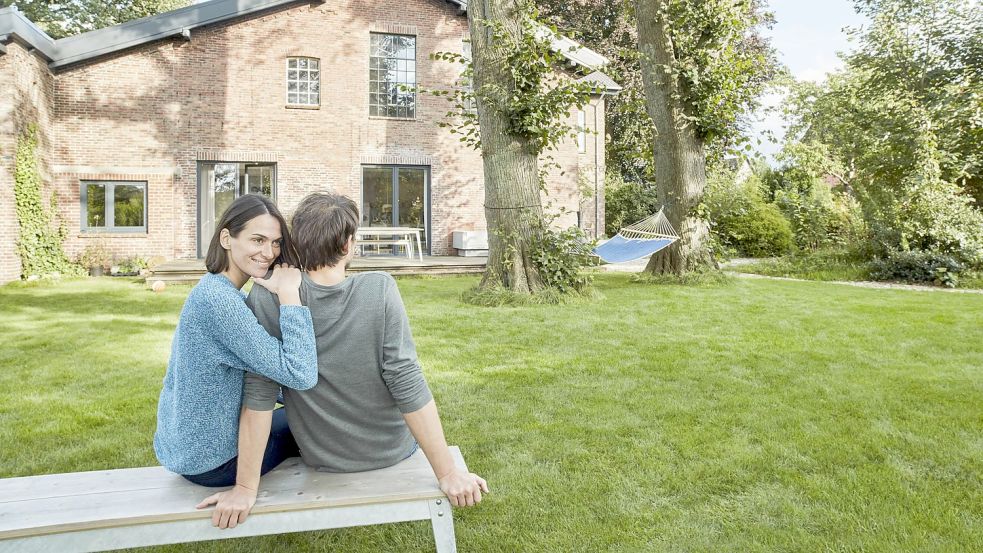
<point x="392" y="62"/>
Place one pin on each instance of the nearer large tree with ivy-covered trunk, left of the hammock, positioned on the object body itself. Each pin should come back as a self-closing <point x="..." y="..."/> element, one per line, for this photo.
<point x="520" y="104"/>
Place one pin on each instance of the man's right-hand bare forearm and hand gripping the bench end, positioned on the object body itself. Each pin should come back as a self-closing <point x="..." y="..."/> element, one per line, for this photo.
<point x="463" y="488"/>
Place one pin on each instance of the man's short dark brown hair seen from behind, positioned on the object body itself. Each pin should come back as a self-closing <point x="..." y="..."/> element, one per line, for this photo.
<point x="321" y="227"/>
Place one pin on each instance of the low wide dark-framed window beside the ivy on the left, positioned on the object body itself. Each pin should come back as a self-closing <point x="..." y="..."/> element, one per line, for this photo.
<point x="114" y="206"/>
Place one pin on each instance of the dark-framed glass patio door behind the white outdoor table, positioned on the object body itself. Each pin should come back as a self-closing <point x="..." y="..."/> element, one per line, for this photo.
<point x="397" y="196"/>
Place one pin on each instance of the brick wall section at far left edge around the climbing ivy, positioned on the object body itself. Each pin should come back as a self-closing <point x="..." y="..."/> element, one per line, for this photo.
<point x="25" y="98"/>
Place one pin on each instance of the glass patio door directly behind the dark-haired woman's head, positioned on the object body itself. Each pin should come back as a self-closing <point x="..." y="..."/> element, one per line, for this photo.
<point x="221" y="183"/>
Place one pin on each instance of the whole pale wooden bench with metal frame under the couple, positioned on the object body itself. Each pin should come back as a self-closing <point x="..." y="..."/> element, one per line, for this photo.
<point x="115" y="509"/>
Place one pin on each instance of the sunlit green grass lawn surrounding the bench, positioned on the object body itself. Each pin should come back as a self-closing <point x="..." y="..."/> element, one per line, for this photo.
<point x="755" y="416"/>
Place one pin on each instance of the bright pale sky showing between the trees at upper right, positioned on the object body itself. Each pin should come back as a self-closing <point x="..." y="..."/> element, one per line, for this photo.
<point x="807" y="34"/>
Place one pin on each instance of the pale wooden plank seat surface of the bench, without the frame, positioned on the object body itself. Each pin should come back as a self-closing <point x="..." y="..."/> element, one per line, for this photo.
<point x="107" y="499"/>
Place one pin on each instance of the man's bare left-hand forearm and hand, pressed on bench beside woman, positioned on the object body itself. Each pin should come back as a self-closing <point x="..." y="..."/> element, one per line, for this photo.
<point x="233" y="506"/>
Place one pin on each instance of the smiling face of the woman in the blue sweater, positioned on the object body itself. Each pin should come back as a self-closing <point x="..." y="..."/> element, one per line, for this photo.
<point x="254" y="250"/>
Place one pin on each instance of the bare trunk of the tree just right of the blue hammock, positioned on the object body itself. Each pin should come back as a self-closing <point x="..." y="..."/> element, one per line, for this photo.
<point x="680" y="157"/>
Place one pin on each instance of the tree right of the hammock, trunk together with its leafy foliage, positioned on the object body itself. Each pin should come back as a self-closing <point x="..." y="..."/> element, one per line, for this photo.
<point x="703" y="64"/>
